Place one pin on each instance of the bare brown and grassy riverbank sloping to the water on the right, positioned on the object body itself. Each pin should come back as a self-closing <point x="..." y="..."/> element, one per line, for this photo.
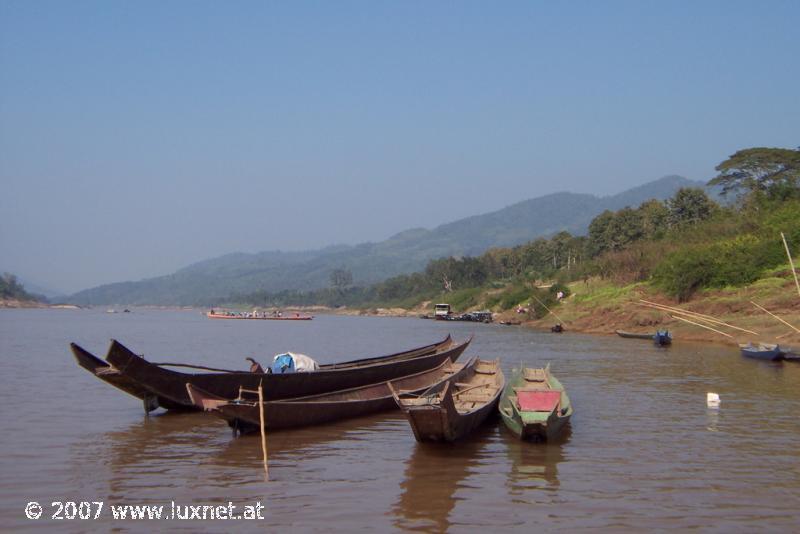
<point x="600" y="307"/>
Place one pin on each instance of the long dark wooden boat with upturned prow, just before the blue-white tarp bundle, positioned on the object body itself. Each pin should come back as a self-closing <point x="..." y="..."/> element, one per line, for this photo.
<point x="170" y="385"/>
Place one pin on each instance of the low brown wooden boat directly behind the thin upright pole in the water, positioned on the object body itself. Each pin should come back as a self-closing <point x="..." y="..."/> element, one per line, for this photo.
<point x="243" y="413"/>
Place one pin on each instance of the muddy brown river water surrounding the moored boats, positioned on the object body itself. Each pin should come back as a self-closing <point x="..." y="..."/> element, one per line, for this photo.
<point x="643" y="451"/>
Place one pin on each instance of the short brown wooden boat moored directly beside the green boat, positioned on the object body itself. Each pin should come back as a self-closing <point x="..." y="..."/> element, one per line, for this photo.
<point x="451" y="410"/>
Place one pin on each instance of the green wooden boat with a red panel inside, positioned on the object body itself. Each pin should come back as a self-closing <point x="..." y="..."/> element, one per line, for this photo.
<point x="534" y="404"/>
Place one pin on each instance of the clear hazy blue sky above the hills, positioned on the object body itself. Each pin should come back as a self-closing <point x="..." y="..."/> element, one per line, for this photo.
<point x="139" y="137"/>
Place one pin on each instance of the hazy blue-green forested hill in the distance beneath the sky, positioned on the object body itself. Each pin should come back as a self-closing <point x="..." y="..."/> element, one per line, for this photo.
<point x="210" y="281"/>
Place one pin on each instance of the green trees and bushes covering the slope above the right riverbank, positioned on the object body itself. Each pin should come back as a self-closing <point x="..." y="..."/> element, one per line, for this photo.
<point x="678" y="247"/>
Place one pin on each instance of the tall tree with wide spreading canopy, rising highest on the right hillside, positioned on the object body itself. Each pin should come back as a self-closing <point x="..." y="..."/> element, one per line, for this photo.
<point x="773" y="171"/>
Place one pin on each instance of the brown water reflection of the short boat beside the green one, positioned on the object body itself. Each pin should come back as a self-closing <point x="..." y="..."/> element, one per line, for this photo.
<point x="433" y="474"/>
